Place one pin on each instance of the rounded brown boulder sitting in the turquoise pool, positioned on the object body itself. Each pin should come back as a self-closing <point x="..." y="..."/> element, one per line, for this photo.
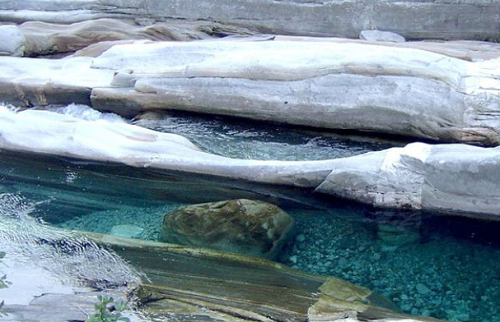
<point x="242" y="226"/>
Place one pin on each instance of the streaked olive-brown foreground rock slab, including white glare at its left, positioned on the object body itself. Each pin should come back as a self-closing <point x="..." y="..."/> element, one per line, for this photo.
<point x="177" y="282"/>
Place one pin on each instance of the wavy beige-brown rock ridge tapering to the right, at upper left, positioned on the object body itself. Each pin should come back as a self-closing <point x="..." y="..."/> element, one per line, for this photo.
<point x="40" y="38"/>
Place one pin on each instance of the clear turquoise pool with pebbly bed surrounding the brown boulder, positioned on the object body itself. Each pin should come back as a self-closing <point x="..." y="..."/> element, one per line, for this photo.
<point x="440" y="266"/>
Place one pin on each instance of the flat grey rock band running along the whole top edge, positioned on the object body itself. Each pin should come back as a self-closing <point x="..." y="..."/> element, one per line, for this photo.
<point x="414" y="19"/>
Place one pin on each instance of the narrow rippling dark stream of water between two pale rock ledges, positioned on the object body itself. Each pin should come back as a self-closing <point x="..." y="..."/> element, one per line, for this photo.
<point x="250" y="140"/>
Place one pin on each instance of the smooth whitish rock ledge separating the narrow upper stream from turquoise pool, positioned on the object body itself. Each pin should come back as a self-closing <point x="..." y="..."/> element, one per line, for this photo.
<point x="455" y="179"/>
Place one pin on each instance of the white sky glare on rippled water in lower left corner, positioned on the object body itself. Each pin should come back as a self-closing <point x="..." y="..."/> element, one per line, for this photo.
<point x="39" y="260"/>
